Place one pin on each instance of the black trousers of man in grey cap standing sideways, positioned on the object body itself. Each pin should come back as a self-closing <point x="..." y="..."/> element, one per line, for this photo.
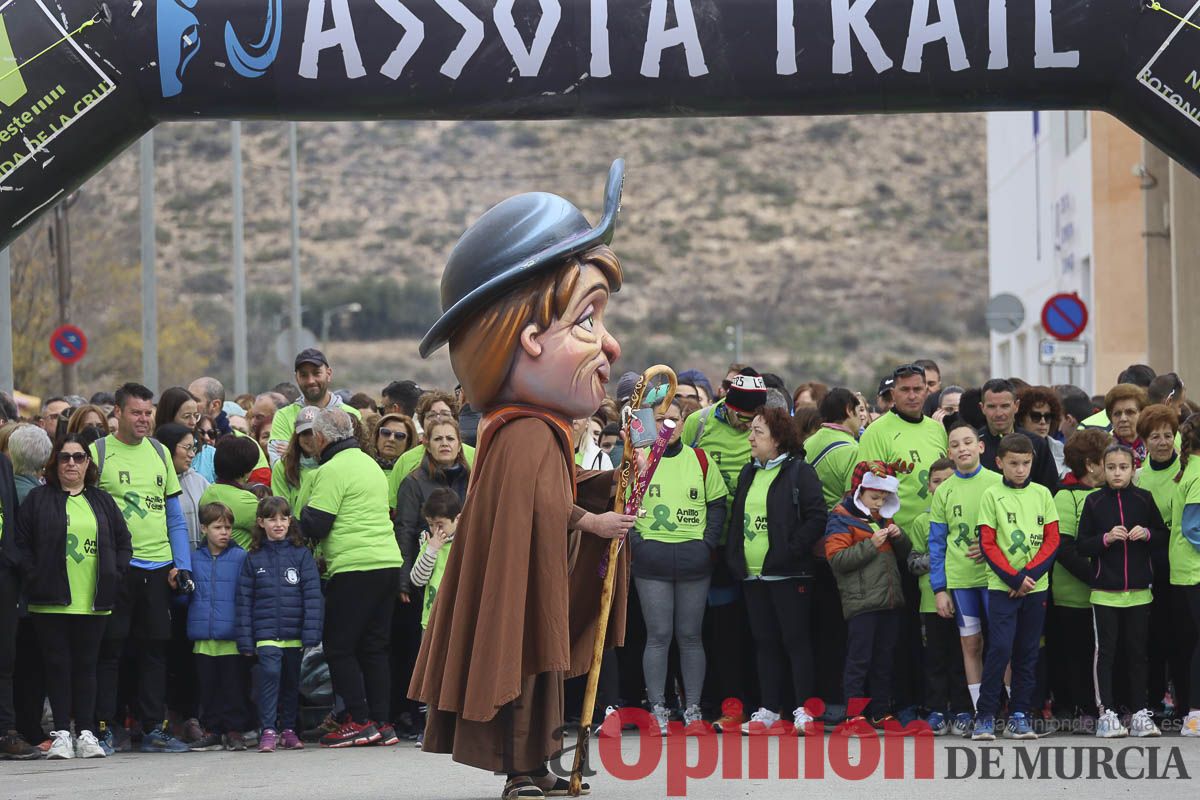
<point x="358" y="639"/>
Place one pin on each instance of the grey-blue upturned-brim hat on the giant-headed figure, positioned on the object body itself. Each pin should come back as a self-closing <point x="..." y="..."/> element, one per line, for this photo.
<point x="512" y="243"/>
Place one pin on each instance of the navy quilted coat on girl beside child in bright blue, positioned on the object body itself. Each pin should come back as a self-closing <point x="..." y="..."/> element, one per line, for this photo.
<point x="279" y="597"/>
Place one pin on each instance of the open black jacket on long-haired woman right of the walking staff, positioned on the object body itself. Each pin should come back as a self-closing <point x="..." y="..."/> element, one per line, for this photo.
<point x="796" y="521"/>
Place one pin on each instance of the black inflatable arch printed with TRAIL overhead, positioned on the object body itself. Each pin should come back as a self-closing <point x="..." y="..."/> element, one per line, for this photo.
<point x="81" y="81"/>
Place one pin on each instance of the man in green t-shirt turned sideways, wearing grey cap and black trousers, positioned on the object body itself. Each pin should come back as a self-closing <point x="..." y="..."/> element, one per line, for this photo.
<point x="347" y="514"/>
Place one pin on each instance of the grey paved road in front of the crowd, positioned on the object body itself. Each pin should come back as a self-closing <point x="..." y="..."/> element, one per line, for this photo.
<point x="404" y="772"/>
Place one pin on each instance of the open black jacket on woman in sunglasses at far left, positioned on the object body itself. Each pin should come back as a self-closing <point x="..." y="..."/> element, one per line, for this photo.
<point x="43" y="545"/>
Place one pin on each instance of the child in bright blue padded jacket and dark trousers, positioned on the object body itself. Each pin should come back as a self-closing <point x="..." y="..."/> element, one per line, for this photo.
<point x="221" y="675"/>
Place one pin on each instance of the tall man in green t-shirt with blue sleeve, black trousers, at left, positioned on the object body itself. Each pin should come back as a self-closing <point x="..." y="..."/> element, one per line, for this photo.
<point x="139" y="473"/>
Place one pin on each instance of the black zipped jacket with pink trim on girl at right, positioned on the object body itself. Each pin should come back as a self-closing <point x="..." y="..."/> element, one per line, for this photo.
<point x="1126" y="566"/>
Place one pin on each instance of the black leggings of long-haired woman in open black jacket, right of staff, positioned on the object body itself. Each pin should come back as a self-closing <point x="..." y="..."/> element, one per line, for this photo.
<point x="779" y="622"/>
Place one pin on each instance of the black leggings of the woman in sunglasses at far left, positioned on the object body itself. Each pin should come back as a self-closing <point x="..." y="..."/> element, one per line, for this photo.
<point x="70" y="651"/>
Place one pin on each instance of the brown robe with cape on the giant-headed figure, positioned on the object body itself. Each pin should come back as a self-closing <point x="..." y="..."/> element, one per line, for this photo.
<point x="518" y="604"/>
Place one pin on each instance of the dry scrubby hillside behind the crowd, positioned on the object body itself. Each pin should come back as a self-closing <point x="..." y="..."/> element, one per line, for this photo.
<point x="839" y="244"/>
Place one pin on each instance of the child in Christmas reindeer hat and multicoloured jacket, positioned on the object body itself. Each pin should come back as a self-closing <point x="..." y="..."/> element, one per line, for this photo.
<point x="863" y="546"/>
